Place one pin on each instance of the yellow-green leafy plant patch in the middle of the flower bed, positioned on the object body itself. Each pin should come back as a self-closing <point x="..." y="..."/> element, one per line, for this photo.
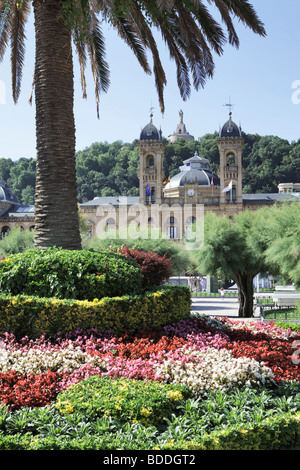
<point x="128" y="400"/>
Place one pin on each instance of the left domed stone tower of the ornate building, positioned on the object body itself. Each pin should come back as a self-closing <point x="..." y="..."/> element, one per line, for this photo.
<point x="151" y="173"/>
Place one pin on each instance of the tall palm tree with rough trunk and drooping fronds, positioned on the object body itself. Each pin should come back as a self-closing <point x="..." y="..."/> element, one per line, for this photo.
<point x="190" y="32"/>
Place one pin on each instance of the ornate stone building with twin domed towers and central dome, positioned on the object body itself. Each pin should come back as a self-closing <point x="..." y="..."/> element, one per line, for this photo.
<point x="173" y="207"/>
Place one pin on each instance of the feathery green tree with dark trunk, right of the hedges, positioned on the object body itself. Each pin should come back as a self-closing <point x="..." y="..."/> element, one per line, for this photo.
<point x="229" y="251"/>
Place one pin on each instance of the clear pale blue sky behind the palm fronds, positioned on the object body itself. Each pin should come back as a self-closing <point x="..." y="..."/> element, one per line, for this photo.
<point x="258" y="78"/>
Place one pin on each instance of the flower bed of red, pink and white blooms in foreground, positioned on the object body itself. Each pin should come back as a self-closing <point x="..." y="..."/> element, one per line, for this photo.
<point x="201" y="376"/>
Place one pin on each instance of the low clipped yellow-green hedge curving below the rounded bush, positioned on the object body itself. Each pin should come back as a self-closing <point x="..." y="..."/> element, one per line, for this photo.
<point x="34" y="316"/>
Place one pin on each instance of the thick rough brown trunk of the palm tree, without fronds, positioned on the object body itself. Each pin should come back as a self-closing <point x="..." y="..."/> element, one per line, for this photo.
<point x="56" y="208"/>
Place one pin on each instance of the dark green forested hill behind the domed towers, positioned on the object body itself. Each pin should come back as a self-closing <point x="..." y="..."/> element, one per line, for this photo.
<point x="105" y="169"/>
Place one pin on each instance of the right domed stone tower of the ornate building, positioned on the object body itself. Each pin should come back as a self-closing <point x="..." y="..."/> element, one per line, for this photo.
<point x="230" y="144"/>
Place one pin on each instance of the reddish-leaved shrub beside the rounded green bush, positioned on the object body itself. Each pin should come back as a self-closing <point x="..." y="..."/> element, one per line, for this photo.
<point x="154" y="267"/>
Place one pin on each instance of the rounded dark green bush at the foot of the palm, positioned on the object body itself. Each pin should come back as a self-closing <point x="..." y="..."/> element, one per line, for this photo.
<point x="84" y="274"/>
